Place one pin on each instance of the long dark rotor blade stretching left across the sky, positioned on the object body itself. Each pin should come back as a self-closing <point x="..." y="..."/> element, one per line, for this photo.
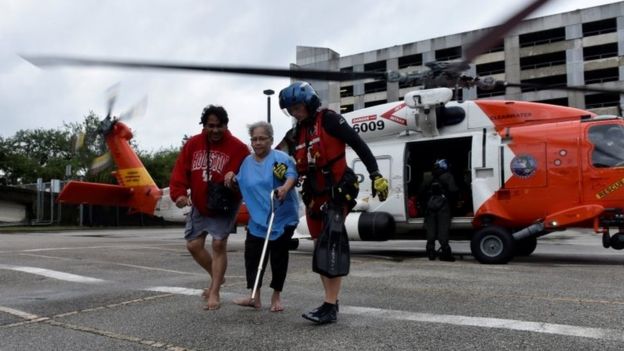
<point x="51" y="61"/>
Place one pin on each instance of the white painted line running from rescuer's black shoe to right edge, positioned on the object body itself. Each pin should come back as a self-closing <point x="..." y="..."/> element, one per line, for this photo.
<point x="481" y="322"/>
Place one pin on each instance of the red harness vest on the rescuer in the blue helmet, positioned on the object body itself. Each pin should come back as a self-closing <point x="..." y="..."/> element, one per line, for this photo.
<point x="318" y="153"/>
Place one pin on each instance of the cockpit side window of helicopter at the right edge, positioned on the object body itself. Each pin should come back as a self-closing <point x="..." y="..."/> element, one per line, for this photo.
<point x="608" y="143"/>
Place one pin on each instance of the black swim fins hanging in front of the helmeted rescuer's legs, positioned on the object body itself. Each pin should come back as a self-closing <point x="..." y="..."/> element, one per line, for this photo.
<point x="331" y="256"/>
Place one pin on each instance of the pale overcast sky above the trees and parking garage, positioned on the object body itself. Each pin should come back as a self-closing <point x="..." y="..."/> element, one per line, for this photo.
<point x="245" y="32"/>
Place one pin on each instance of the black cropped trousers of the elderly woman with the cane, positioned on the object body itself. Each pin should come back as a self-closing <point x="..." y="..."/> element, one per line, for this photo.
<point x="277" y="252"/>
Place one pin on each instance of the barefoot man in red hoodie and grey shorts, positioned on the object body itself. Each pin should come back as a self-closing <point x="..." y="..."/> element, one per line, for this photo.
<point x="206" y="165"/>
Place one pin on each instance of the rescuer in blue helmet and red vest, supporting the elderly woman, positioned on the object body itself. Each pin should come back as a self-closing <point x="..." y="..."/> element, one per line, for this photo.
<point x="320" y="138"/>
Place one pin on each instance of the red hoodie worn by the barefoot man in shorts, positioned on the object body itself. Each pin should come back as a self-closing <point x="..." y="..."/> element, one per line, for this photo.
<point x="190" y="168"/>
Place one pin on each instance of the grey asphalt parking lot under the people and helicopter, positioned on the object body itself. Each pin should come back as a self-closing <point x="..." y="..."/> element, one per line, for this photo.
<point x="139" y="290"/>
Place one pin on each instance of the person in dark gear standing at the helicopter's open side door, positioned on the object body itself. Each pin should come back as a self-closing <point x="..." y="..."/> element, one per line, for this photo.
<point x="439" y="194"/>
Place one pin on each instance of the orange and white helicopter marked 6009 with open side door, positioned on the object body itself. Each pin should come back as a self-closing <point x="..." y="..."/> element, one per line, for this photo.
<point x="524" y="169"/>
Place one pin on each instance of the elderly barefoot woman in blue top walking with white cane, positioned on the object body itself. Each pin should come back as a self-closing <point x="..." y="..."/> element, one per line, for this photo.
<point x="265" y="171"/>
